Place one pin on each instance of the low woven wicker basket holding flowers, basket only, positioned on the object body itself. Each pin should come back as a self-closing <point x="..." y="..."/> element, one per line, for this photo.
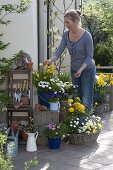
<point x="82" y="139"/>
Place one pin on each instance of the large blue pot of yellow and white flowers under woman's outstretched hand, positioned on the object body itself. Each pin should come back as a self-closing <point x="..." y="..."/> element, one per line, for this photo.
<point x="47" y="83"/>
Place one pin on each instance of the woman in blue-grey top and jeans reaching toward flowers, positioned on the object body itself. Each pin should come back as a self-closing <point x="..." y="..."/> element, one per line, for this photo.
<point x="80" y="45"/>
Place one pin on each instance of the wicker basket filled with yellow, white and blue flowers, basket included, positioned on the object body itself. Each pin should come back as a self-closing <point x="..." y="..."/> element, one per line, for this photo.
<point x="82" y="127"/>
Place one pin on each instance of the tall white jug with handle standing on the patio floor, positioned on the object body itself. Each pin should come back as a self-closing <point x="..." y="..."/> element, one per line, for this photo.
<point x="31" y="142"/>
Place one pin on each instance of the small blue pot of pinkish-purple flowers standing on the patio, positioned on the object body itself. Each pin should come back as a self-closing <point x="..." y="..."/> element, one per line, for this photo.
<point x="54" y="132"/>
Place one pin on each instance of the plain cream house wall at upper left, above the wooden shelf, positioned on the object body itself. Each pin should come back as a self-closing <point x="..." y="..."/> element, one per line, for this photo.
<point x="21" y="33"/>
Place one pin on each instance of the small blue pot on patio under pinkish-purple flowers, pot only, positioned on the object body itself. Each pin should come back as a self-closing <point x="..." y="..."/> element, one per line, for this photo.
<point x="54" y="143"/>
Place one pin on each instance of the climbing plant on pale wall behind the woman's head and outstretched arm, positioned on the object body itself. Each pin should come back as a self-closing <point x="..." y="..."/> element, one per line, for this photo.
<point x="55" y="31"/>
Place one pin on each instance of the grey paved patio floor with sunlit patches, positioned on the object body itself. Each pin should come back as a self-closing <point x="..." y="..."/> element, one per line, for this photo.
<point x="69" y="157"/>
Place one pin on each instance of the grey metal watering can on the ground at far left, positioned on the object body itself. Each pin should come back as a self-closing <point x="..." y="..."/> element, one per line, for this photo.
<point x="12" y="143"/>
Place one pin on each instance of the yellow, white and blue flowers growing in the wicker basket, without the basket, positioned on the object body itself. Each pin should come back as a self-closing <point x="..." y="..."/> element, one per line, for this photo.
<point x="79" y="121"/>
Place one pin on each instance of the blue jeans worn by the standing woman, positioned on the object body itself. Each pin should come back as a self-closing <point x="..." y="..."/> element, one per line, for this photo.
<point x="85" y="86"/>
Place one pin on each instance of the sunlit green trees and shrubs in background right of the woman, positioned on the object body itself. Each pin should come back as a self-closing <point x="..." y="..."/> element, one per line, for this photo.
<point x="98" y="18"/>
